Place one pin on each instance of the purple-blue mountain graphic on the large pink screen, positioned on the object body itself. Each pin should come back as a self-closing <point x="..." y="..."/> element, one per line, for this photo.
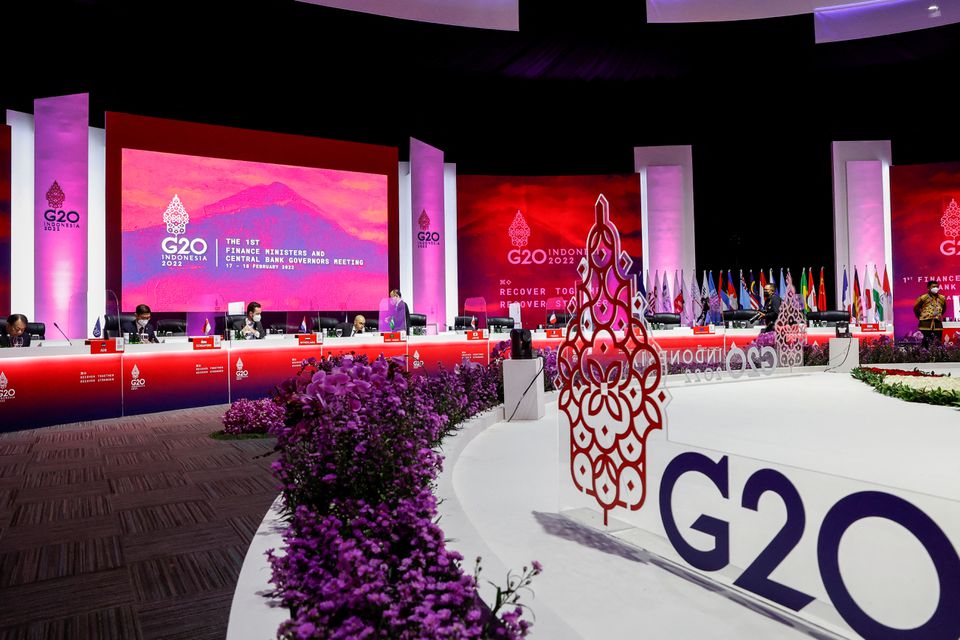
<point x="277" y="216"/>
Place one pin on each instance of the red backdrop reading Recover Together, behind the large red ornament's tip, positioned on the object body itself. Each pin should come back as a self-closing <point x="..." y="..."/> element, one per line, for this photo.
<point x="521" y="238"/>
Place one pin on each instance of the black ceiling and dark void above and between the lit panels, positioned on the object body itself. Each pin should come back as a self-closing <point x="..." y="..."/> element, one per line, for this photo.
<point x="573" y="92"/>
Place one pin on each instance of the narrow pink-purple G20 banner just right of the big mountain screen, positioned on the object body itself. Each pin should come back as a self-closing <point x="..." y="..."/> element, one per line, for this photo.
<point x="426" y="194"/>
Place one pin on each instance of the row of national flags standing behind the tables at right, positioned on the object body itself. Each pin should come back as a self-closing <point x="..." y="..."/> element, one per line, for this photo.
<point x="704" y="302"/>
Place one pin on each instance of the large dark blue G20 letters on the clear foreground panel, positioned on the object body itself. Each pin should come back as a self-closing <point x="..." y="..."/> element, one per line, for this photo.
<point x="945" y="621"/>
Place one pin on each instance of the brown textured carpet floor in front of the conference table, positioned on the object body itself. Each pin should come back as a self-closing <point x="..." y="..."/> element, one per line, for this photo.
<point x="129" y="528"/>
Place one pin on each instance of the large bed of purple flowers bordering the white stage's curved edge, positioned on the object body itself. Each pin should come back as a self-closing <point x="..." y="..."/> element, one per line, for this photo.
<point x="364" y="556"/>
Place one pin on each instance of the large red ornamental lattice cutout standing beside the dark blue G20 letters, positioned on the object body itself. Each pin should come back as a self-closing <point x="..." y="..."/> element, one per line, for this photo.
<point x="609" y="375"/>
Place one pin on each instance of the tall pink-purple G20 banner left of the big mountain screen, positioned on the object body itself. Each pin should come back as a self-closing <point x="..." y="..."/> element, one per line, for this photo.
<point x="60" y="202"/>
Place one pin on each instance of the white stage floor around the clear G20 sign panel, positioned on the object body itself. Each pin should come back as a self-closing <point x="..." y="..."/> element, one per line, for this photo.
<point x="500" y="487"/>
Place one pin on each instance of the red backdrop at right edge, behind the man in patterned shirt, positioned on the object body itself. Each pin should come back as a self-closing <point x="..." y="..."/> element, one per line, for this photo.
<point x="925" y="227"/>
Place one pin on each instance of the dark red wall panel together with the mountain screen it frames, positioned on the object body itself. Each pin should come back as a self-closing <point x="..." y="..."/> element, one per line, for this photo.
<point x="200" y="215"/>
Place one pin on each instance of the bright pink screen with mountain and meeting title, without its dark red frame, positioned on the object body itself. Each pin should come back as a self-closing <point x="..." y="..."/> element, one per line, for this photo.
<point x="288" y="237"/>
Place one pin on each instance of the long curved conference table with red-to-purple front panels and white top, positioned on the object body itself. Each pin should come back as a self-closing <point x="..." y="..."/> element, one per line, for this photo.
<point x="57" y="383"/>
